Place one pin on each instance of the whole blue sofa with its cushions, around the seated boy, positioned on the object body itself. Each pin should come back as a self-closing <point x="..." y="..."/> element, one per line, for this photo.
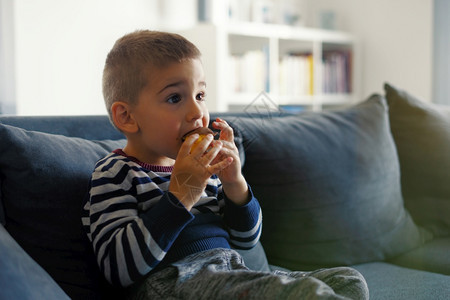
<point x="366" y="186"/>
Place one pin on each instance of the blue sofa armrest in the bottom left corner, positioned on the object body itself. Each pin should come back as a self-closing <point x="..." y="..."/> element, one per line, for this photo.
<point x="20" y="276"/>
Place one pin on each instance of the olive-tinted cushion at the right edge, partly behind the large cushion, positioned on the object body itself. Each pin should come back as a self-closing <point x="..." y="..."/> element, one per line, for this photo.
<point x="421" y="131"/>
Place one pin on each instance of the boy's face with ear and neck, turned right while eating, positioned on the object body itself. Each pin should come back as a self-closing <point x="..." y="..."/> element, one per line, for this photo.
<point x="172" y="104"/>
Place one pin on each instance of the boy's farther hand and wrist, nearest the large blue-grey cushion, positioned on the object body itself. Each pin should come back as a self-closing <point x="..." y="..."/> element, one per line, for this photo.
<point x="233" y="182"/>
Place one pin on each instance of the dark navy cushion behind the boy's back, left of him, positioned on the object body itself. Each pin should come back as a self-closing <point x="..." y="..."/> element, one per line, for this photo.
<point x="44" y="179"/>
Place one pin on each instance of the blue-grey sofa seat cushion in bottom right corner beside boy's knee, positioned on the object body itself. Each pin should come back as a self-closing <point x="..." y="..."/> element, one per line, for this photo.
<point x="387" y="281"/>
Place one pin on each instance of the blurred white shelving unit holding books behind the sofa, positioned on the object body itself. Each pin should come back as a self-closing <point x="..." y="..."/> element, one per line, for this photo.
<point x="262" y="49"/>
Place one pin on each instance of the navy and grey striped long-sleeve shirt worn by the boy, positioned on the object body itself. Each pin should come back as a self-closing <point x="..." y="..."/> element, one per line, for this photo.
<point x="135" y="224"/>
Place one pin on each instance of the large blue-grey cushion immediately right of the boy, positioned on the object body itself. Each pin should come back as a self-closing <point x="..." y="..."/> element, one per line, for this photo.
<point x="329" y="187"/>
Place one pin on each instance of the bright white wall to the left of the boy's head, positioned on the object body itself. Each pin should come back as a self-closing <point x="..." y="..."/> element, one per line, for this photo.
<point x="61" y="47"/>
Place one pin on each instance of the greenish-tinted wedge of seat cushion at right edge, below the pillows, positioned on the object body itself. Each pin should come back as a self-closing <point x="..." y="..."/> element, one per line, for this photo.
<point x="434" y="256"/>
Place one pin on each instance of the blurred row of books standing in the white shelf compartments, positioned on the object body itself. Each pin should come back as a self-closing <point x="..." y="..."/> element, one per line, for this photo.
<point x="250" y="72"/>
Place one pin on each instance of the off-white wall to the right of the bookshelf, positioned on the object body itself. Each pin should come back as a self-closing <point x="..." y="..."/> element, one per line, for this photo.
<point x="396" y="40"/>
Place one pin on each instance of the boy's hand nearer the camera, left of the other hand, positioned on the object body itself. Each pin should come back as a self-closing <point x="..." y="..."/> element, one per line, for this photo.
<point x="194" y="166"/>
